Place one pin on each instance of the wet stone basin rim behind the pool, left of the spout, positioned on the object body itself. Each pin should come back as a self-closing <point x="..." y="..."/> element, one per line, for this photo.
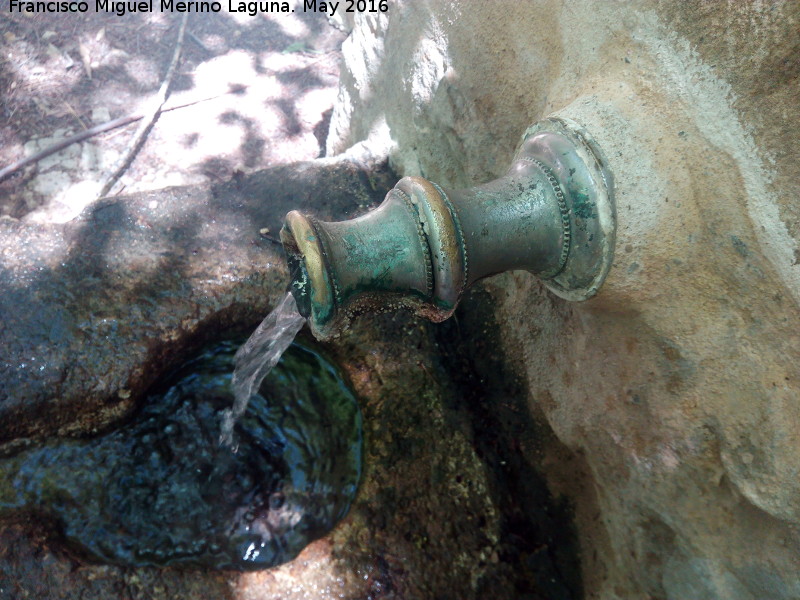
<point x="94" y="311"/>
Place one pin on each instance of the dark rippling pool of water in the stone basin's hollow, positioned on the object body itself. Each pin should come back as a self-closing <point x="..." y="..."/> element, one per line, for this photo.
<point x="161" y="490"/>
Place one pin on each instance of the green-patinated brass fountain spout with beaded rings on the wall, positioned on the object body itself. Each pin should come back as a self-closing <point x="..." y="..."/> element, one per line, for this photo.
<point x="552" y="214"/>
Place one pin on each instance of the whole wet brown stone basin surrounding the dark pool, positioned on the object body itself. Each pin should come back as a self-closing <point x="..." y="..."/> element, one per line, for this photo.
<point x="98" y="310"/>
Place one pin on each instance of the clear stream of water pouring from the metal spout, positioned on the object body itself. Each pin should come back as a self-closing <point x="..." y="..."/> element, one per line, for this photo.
<point x="257" y="356"/>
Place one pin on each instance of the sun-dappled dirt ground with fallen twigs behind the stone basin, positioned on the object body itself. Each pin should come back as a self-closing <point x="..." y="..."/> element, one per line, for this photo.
<point x="261" y="90"/>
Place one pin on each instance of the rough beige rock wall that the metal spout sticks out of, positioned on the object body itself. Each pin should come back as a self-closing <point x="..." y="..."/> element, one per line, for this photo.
<point x="675" y="390"/>
